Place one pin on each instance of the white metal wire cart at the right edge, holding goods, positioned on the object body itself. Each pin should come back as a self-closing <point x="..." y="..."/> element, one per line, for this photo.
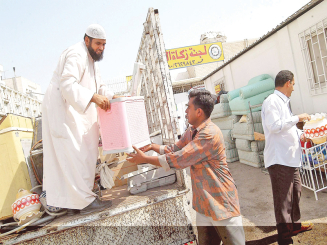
<point x="314" y="168"/>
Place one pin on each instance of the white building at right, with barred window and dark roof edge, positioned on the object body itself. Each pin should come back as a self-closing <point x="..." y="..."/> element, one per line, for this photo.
<point x="298" y="44"/>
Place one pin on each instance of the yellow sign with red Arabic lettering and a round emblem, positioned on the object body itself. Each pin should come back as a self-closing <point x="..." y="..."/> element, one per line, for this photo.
<point x="194" y="55"/>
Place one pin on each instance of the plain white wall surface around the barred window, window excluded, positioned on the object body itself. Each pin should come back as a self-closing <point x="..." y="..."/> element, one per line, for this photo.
<point x="281" y="51"/>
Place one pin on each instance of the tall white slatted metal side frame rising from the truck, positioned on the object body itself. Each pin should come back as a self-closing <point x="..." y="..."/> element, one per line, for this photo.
<point x="156" y="85"/>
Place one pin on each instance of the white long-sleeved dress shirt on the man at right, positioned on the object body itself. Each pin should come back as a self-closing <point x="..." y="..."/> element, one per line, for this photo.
<point x="282" y="136"/>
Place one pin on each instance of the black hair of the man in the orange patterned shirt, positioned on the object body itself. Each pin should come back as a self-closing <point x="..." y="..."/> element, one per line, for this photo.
<point x="202" y="99"/>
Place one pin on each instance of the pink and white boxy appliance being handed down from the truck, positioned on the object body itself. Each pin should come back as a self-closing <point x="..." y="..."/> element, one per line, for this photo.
<point x="124" y="125"/>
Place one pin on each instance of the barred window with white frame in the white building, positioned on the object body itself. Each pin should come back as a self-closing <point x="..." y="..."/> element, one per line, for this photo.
<point x="314" y="49"/>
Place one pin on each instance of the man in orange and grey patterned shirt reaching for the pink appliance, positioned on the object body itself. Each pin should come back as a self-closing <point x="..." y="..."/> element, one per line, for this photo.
<point x="201" y="147"/>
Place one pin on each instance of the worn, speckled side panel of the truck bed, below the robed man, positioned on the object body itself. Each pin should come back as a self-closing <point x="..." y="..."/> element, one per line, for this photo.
<point x="162" y="222"/>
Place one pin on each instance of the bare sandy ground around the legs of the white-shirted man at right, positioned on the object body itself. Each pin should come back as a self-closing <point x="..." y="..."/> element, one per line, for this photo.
<point x="256" y="202"/>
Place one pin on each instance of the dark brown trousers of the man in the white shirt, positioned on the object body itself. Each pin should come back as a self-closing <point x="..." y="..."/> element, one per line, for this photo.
<point x="286" y="188"/>
